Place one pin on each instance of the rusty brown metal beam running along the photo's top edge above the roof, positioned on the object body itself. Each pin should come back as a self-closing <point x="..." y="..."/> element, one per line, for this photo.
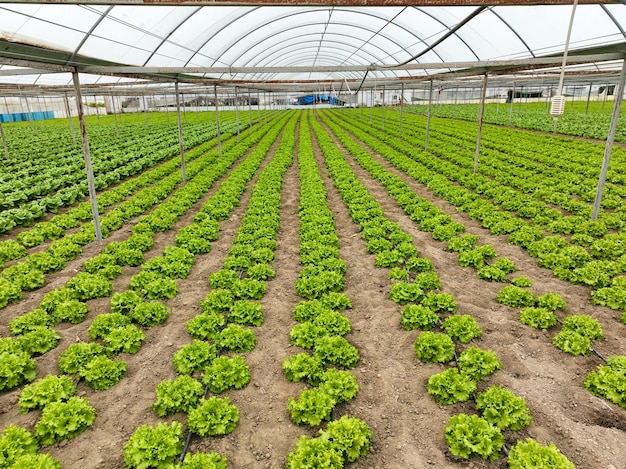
<point x="322" y="3"/>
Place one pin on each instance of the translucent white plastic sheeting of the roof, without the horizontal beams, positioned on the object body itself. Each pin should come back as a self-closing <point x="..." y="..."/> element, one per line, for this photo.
<point x="234" y="36"/>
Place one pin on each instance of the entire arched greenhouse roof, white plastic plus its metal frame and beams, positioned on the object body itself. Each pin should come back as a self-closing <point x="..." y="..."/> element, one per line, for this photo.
<point x="253" y="43"/>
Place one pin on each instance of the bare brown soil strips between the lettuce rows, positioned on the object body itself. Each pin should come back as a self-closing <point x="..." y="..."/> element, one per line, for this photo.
<point x="407" y="423"/>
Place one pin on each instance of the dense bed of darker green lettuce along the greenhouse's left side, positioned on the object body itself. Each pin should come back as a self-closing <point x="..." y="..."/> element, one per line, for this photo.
<point x="46" y="179"/>
